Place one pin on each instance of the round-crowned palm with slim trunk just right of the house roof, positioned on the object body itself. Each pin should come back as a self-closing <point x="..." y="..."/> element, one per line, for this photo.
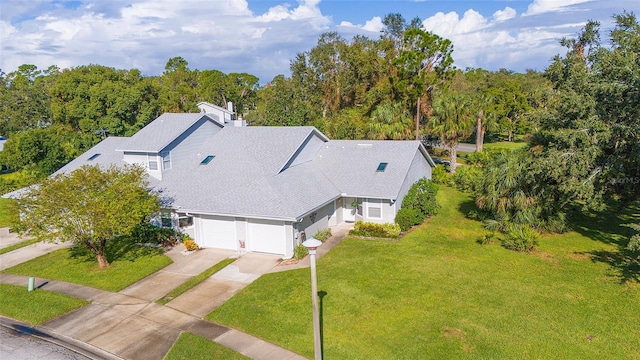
<point x="452" y="120"/>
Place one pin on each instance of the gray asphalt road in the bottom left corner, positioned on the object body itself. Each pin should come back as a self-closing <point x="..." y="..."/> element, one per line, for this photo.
<point x="17" y="345"/>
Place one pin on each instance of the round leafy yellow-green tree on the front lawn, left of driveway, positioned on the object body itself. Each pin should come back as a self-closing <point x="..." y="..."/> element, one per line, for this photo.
<point x="89" y="207"/>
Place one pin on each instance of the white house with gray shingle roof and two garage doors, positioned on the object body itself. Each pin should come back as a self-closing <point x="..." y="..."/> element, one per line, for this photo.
<point x="262" y="189"/>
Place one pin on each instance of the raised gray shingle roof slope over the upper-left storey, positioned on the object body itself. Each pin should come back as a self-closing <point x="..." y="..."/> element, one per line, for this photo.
<point x="161" y="132"/>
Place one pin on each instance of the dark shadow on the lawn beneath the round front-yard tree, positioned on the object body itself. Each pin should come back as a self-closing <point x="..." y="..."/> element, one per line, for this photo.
<point x="122" y="248"/>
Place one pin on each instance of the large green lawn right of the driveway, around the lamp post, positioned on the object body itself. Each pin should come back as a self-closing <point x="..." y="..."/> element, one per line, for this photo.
<point x="438" y="294"/>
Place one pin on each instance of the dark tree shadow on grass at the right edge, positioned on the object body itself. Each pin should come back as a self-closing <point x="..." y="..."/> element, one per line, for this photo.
<point x="607" y="227"/>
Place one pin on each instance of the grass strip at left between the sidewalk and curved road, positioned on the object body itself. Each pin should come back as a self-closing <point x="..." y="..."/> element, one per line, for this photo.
<point x="37" y="306"/>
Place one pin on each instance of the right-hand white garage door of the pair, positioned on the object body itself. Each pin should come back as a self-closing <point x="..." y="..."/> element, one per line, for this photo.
<point x="267" y="236"/>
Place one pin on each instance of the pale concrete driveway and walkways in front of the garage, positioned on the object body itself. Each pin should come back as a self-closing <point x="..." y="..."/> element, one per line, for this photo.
<point x="129" y="325"/>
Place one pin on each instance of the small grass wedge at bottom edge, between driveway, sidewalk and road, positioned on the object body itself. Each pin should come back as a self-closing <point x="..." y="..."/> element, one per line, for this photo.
<point x="193" y="347"/>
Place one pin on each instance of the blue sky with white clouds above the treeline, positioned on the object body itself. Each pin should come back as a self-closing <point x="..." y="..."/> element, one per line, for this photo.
<point x="261" y="37"/>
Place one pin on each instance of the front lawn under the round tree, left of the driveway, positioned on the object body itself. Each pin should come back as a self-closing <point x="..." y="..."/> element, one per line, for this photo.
<point x="129" y="264"/>
